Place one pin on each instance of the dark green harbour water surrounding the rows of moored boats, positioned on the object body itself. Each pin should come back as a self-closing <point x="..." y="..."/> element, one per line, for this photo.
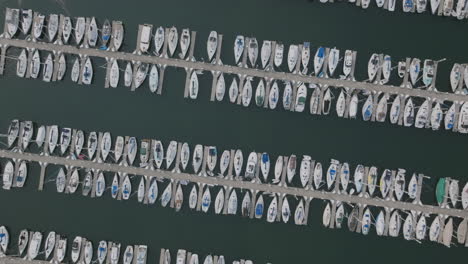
<point x="169" y="116"/>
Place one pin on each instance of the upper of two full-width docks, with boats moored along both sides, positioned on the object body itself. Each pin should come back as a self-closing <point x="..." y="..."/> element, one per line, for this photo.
<point x="438" y="110"/>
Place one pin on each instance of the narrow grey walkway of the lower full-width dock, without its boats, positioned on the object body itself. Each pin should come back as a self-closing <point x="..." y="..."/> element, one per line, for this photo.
<point x="284" y="190"/>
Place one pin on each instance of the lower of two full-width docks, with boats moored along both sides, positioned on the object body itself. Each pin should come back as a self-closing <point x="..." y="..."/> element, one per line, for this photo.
<point x="392" y="182"/>
